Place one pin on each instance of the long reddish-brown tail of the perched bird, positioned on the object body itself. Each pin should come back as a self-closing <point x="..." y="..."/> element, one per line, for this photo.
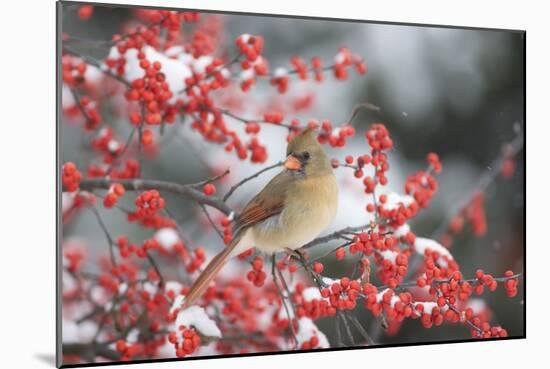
<point x="211" y="270"/>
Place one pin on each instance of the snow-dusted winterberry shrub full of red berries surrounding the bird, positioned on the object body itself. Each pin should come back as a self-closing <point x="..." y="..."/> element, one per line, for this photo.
<point x="168" y="70"/>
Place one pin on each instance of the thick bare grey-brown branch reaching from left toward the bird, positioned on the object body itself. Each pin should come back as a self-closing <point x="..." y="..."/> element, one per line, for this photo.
<point x="152" y="184"/>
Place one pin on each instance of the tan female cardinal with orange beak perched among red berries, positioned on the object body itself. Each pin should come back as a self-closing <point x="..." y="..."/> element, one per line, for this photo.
<point x="293" y="208"/>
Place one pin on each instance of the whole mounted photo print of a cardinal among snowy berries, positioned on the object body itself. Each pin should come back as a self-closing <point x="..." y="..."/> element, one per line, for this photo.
<point x="248" y="184"/>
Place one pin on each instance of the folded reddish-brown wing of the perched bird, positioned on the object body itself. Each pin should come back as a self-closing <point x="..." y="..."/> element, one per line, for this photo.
<point x="267" y="203"/>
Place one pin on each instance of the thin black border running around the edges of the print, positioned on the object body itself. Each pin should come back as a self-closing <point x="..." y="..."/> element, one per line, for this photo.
<point x="58" y="86"/>
